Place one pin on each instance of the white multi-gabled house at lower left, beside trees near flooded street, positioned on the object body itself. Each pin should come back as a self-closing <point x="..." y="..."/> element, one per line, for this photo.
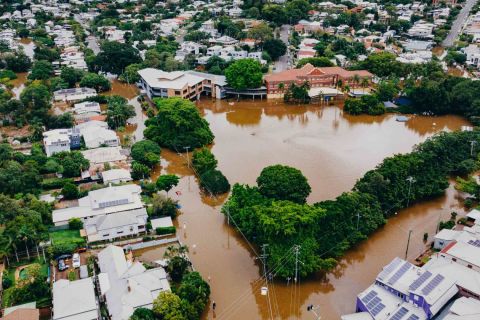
<point x="126" y="285"/>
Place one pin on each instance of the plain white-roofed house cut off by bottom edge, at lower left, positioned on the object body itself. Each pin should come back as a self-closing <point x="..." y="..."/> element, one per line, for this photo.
<point x="75" y="300"/>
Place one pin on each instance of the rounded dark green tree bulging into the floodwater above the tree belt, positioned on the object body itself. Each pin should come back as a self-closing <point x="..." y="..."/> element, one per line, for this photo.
<point x="283" y="183"/>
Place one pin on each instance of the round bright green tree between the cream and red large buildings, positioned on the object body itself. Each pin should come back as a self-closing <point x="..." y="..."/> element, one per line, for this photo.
<point x="244" y="74"/>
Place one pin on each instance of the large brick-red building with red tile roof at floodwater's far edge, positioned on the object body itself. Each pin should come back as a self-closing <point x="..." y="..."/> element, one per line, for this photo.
<point x="316" y="77"/>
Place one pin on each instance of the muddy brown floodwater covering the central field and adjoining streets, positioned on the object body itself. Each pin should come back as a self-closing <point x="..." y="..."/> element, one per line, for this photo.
<point x="333" y="150"/>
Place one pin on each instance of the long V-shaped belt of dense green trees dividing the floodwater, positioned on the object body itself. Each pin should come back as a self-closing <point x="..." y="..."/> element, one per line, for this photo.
<point x="327" y="229"/>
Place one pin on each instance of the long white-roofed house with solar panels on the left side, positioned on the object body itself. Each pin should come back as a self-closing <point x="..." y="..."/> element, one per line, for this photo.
<point x="106" y="201"/>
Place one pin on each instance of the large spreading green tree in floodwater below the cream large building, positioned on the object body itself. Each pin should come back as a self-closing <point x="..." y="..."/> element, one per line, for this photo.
<point x="178" y="125"/>
